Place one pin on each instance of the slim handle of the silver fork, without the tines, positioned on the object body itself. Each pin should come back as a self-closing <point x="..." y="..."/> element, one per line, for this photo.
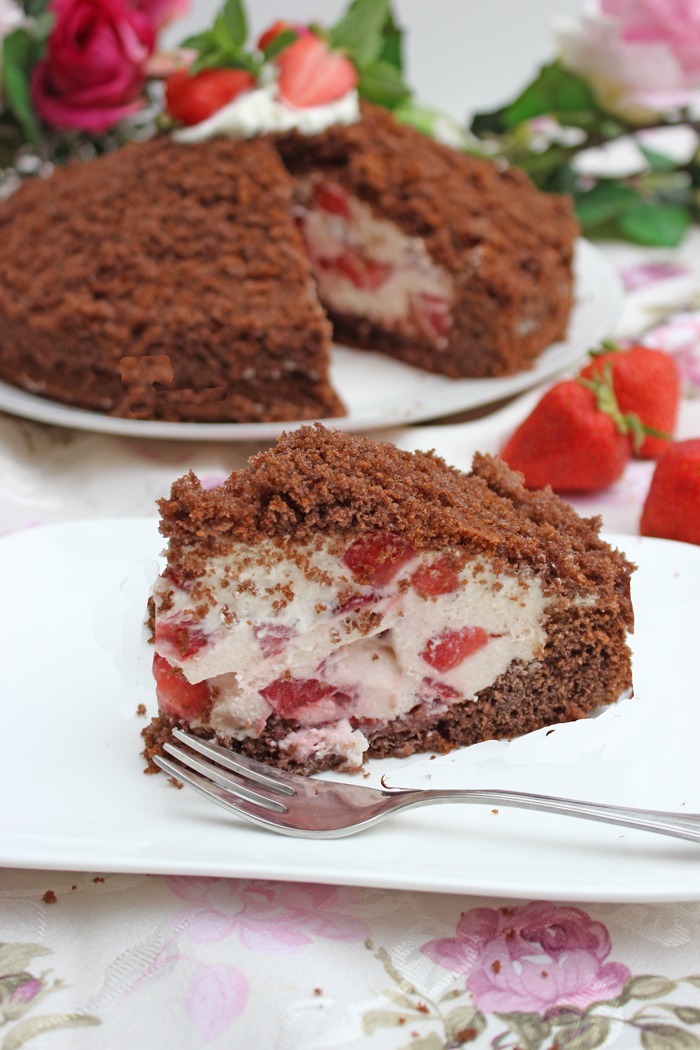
<point x="677" y="825"/>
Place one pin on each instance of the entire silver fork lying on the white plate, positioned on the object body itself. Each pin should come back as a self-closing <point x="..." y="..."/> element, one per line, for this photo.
<point x="308" y="808"/>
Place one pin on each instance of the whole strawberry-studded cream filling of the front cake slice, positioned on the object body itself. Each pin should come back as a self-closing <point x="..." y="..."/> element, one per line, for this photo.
<point x="329" y="645"/>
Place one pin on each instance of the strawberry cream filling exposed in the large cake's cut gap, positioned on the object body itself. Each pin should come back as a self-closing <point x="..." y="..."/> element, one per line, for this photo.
<point x="407" y="282"/>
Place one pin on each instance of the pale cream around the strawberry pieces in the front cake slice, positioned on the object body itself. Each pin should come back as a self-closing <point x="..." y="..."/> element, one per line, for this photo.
<point x="278" y="618"/>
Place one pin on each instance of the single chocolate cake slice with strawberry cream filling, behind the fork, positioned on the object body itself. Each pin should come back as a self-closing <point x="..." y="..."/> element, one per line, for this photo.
<point x="341" y="599"/>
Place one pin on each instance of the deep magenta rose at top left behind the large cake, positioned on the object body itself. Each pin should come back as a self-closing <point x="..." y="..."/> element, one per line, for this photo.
<point x="96" y="65"/>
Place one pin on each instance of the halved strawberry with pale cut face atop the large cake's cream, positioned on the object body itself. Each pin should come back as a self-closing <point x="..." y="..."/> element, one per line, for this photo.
<point x="312" y="75"/>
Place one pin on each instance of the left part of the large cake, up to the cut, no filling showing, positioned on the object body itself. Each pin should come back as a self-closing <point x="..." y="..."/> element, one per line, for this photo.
<point x="163" y="282"/>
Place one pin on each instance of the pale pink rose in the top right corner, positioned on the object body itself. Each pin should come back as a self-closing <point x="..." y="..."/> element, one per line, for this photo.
<point x="642" y="57"/>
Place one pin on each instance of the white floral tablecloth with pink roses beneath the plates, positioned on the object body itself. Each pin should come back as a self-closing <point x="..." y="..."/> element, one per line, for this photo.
<point x="100" y="960"/>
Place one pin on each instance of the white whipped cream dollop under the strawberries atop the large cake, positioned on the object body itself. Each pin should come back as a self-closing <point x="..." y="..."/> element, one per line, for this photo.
<point x="261" y="112"/>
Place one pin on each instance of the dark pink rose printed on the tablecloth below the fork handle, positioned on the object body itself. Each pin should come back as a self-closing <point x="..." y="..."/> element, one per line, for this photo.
<point x="532" y="959"/>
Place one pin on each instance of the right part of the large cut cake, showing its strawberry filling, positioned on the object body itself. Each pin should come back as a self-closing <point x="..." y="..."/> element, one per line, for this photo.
<point x="435" y="257"/>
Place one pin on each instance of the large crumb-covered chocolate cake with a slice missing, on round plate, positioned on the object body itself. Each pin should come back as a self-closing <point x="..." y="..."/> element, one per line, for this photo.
<point x="175" y="282"/>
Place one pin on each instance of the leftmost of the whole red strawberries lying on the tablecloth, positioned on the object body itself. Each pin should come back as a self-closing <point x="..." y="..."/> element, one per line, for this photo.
<point x="569" y="443"/>
